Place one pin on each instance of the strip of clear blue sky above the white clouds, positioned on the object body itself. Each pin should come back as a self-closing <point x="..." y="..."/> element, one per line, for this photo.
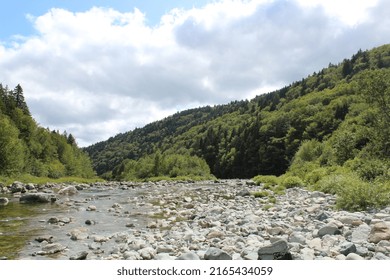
<point x="13" y="14"/>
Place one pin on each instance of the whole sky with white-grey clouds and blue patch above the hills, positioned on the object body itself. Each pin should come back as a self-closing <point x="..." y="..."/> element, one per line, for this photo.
<point x="97" y="68"/>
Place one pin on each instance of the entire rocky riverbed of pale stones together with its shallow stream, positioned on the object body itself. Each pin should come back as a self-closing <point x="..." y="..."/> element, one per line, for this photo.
<point x="218" y="220"/>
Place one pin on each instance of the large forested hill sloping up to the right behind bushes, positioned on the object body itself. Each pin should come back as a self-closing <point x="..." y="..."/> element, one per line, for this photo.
<point x="344" y="106"/>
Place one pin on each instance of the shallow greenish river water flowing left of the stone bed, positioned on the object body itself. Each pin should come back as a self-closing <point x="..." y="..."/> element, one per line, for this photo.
<point x="21" y="223"/>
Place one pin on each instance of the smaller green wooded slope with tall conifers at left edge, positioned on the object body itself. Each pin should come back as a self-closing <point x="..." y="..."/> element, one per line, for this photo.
<point x="27" y="148"/>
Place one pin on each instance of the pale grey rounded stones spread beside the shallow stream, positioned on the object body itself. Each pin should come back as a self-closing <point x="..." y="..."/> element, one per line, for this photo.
<point x="222" y="220"/>
